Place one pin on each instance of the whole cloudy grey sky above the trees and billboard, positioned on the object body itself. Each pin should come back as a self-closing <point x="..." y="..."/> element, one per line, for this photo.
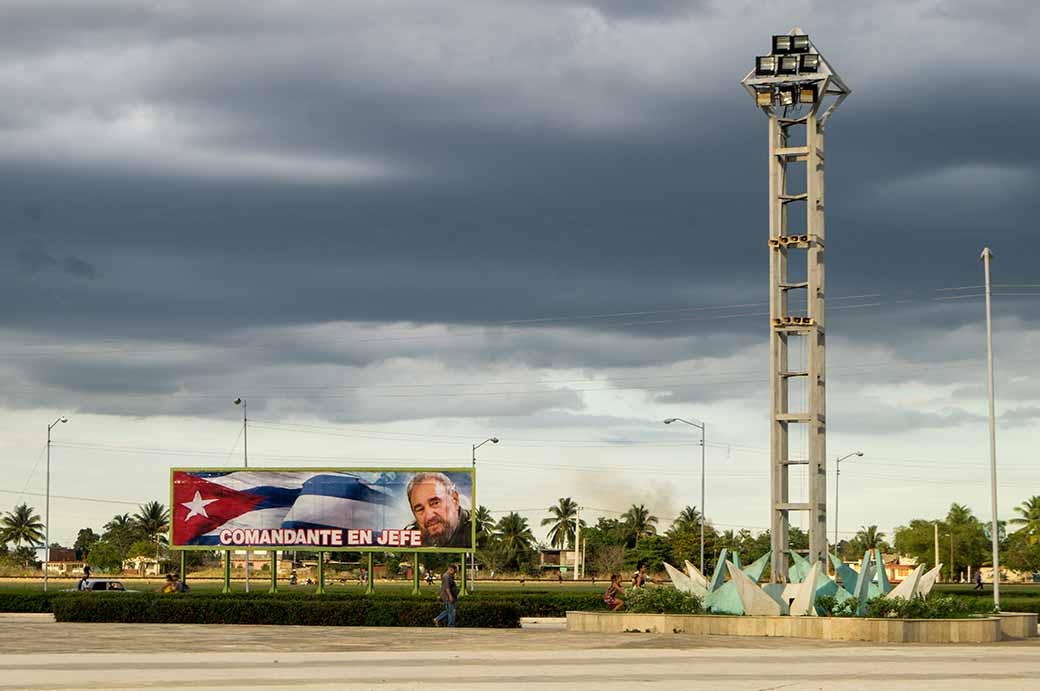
<point x="399" y="228"/>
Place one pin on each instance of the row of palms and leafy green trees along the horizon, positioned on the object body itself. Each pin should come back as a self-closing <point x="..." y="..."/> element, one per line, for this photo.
<point x="611" y="545"/>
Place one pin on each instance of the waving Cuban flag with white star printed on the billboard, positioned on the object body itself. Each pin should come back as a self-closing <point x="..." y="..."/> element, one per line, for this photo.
<point x="206" y="503"/>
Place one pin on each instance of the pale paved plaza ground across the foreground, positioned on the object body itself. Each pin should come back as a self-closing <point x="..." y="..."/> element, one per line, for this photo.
<point x="41" y="655"/>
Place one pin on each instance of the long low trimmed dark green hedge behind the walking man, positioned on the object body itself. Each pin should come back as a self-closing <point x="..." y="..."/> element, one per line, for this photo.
<point x="273" y="610"/>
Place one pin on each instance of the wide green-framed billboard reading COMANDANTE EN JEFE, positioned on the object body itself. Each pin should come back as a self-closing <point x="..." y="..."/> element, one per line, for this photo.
<point x="327" y="509"/>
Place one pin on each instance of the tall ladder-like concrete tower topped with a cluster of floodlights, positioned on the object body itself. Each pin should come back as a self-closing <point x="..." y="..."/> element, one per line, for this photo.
<point x="798" y="90"/>
